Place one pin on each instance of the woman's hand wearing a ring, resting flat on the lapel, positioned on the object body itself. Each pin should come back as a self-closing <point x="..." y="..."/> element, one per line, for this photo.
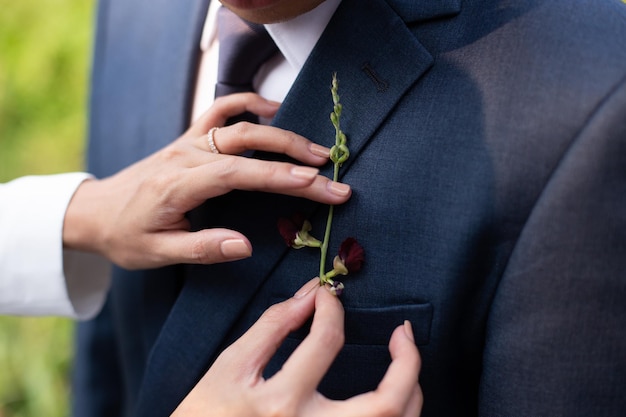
<point x="136" y="218"/>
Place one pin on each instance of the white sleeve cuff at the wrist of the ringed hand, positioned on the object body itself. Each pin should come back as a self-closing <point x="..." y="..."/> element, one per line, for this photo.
<point x="37" y="276"/>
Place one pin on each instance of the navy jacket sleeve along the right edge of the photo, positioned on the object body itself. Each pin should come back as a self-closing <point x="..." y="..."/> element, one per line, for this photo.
<point x="556" y="335"/>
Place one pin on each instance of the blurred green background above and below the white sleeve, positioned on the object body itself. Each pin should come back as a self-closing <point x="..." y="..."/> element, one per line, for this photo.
<point x="44" y="62"/>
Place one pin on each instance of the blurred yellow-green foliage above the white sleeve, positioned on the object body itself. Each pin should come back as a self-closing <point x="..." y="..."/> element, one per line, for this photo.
<point x="43" y="72"/>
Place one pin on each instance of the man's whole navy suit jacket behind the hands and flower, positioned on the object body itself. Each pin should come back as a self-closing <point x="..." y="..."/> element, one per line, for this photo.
<point x="488" y="168"/>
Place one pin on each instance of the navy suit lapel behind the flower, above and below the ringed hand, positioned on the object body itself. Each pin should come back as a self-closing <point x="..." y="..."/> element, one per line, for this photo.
<point x="376" y="62"/>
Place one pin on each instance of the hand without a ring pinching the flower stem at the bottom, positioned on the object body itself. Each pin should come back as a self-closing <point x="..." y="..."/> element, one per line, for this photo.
<point x="234" y="385"/>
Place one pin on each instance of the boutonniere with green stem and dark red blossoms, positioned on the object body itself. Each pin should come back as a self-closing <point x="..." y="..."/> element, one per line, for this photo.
<point x="295" y="231"/>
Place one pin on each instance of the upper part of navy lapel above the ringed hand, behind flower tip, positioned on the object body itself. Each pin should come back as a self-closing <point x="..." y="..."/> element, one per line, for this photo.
<point x="376" y="62"/>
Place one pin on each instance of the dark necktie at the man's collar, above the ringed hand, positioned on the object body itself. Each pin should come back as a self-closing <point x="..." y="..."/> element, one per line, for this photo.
<point x="244" y="47"/>
